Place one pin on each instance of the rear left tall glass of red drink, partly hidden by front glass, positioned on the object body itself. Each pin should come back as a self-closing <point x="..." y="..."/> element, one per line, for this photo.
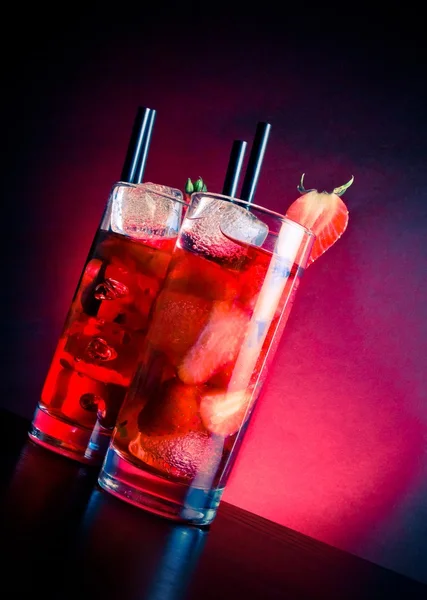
<point x="98" y="349"/>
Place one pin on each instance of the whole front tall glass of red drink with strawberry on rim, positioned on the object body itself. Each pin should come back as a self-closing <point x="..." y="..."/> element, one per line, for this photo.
<point x="213" y="332"/>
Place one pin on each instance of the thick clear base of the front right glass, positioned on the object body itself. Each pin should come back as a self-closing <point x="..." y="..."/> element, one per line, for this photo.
<point x="166" y="498"/>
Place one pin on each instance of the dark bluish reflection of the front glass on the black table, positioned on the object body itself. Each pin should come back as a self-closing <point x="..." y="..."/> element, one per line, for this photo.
<point x="137" y="555"/>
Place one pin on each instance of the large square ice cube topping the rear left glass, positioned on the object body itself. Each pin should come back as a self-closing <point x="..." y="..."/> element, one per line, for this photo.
<point x="146" y="210"/>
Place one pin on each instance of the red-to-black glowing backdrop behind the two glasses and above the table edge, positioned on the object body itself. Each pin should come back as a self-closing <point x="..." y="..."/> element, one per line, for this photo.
<point x="337" y="448"/>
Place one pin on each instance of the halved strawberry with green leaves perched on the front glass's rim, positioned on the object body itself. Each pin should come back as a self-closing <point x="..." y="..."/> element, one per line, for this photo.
<point x="324" y="213"/>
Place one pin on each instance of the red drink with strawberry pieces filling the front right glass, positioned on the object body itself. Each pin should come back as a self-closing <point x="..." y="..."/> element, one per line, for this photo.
<point x="205" y="359"/>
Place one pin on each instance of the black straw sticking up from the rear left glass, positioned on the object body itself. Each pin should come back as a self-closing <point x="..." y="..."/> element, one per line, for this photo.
<point x="138" y="146"/>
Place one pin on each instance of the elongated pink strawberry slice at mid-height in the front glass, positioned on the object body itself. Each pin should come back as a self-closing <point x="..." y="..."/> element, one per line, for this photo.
<point x="217" y="345"/>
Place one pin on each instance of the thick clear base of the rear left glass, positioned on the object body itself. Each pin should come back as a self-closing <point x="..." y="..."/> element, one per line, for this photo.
<point x="87" y="446"/>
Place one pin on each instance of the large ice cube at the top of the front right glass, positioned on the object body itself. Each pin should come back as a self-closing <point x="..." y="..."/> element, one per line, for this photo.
<point x="222" y="229"/>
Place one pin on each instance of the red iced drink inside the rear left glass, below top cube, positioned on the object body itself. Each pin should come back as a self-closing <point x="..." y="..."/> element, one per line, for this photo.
<point x="99" y="347"/>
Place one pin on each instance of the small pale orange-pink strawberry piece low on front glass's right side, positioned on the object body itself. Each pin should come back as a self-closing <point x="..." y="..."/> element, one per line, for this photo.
<point x="223" y="413"/>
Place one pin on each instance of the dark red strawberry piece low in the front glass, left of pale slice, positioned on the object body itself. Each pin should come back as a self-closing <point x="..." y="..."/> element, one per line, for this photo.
<point x="175" y="410"/>
